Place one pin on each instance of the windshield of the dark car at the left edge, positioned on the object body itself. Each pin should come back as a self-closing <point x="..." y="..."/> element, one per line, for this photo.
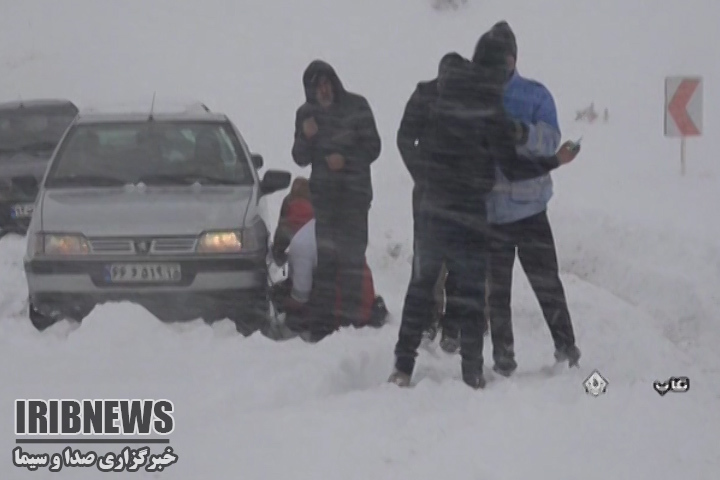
<point x="33" y="129"/>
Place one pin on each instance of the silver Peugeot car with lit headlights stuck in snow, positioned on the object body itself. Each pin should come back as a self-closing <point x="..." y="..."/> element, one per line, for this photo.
<point x="166" y="210"/>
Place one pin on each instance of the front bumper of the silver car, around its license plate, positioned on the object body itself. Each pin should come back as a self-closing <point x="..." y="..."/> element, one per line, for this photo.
<point x="87" y="277"/>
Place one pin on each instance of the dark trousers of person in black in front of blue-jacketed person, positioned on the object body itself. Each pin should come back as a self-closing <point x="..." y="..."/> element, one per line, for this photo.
<point x="462" y="245"/>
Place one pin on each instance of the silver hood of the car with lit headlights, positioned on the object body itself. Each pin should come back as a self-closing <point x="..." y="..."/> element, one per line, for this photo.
<point x="147" y="211"/>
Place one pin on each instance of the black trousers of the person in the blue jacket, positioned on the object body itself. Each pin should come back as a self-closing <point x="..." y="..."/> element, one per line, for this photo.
<point x="533" y="240"/>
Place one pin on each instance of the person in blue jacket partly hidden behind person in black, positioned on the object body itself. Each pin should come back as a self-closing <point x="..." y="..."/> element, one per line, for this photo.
<point x="517" y="212"/>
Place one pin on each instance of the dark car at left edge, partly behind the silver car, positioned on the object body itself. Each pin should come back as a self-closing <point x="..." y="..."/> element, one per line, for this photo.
<point x="29" y="132"/>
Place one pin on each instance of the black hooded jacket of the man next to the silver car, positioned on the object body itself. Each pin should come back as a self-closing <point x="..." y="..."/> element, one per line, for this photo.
<point x="347" y="127"/>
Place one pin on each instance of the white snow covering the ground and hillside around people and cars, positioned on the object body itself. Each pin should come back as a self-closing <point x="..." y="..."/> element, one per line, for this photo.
<point x="638" y="246"/>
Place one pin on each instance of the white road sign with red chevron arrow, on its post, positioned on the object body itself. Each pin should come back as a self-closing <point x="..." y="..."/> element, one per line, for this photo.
<point x="683" y="110"/>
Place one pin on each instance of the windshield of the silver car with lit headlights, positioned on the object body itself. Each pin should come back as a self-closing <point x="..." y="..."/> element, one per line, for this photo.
<point x="151" y="152"/>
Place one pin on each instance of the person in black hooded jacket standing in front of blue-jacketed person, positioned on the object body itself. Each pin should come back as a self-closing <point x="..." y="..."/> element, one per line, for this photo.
<point x="466" y="132"/>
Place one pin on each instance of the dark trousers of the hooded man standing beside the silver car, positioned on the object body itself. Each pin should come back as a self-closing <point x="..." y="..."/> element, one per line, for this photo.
<point x="342" y="237"/>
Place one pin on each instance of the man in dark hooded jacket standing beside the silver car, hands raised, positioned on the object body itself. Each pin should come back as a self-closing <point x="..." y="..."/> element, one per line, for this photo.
<point x="336" y="134"/>
